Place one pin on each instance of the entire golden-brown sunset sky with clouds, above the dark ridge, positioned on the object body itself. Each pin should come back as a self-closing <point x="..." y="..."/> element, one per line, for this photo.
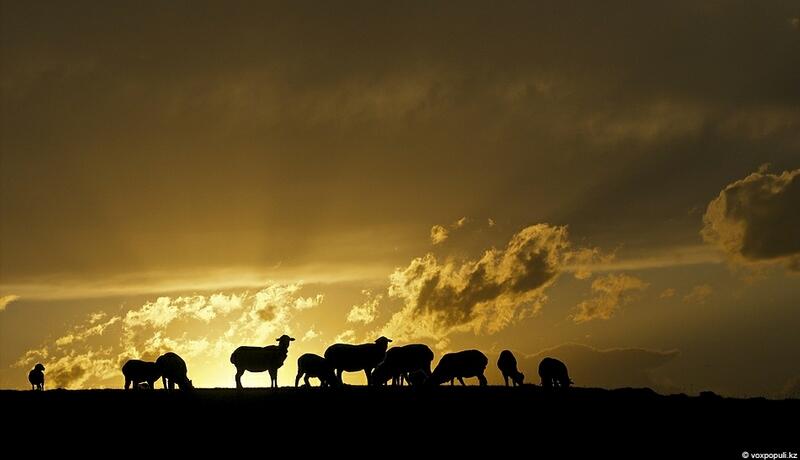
<point x="616" y="185"/>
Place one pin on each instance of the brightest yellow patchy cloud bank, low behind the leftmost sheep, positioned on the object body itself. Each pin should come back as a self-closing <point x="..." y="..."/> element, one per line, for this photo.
<point x="214" y="326"/>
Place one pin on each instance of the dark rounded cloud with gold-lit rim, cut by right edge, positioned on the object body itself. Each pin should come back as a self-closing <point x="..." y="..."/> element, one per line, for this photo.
<point x="756" y="220"/>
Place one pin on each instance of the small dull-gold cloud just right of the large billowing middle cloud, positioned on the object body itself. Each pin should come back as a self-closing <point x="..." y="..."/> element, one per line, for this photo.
<point x="611" y="292"/>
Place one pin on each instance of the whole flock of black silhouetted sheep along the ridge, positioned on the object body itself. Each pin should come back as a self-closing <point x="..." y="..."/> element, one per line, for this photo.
<point x="409" y="363"/>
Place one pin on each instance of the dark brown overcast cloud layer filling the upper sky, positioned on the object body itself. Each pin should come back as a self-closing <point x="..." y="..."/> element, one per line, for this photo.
<point x="142" y="131"/>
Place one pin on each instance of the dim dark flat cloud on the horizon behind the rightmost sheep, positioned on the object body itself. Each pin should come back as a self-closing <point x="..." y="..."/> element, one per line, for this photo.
<point x="606" y="368"/>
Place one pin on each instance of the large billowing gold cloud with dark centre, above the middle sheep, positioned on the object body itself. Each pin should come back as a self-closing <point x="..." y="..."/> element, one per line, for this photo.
<point x="484" y="295"/>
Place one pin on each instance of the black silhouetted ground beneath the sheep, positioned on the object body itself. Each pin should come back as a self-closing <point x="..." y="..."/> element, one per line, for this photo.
<point x="371" y="422"/>
